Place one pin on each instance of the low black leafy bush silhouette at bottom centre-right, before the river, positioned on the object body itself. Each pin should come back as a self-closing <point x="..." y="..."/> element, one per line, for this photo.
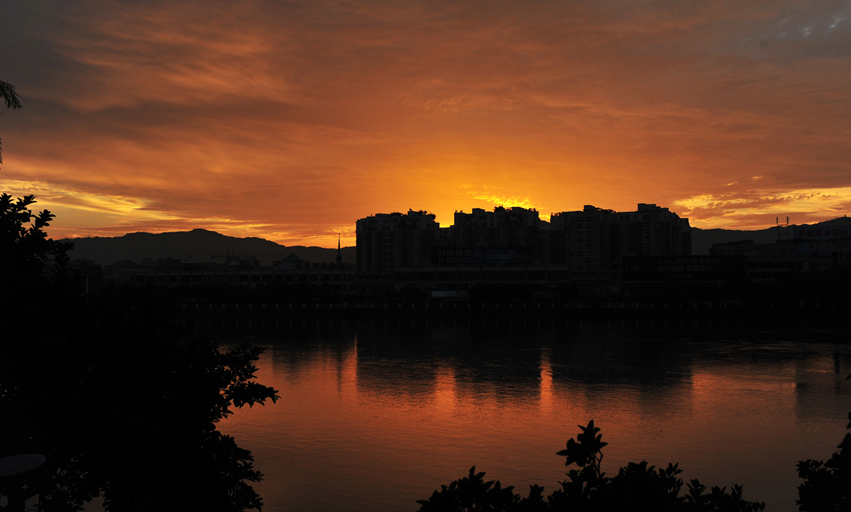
<point x="637" y="487"/>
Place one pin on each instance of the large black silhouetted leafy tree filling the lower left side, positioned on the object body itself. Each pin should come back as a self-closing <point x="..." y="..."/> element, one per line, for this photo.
<point x="123" y="402"/>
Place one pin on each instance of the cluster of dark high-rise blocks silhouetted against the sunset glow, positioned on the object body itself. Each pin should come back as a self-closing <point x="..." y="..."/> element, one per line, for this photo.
<point x="513" y="246"/>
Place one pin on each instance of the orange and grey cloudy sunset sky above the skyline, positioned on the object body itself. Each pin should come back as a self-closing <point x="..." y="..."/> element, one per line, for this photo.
<point x="291" y="120"/>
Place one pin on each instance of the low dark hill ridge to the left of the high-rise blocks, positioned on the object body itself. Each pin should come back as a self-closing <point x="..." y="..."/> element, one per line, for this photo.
<point x="199" y="244"/>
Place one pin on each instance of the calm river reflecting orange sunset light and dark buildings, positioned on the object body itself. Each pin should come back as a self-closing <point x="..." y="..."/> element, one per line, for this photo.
<point x="377" y="414"/>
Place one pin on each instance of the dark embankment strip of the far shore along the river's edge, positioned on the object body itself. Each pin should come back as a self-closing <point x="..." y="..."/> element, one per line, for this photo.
<point x="269" y="317"/>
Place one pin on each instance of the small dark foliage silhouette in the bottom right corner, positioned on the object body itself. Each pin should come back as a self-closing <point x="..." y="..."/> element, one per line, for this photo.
<point x="827" y="485"/>
